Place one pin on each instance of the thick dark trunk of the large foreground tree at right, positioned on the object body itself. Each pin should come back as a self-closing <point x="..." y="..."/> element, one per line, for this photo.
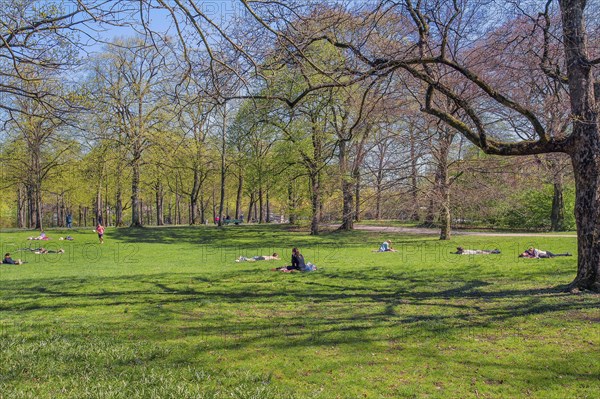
<point x="585" y="148"/>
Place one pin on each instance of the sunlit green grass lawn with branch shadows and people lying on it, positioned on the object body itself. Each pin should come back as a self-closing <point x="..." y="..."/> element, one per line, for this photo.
<point x="167" y="313"/>
